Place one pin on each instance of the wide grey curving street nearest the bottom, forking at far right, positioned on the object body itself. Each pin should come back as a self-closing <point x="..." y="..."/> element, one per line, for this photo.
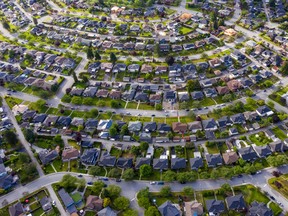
<point x="129" y="189"/>
